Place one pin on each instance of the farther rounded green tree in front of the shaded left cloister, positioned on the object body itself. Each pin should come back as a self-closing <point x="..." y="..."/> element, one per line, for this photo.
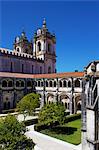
<point x="28" y="104"/>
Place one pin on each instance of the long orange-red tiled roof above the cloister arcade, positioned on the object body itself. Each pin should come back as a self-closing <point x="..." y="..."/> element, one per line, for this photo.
<point x="53" y="75"/>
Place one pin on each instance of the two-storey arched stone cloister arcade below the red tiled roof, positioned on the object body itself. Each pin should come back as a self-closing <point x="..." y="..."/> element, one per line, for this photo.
<point x="16" y="88"/>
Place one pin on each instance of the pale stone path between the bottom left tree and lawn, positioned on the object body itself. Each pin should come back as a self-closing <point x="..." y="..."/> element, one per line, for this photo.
<point x="44" y="142"/>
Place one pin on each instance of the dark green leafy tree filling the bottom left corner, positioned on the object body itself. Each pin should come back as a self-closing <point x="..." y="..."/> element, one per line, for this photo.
<point x="12" y="135"/>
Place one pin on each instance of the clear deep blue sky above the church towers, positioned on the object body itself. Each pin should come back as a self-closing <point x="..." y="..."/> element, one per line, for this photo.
<point x="76" y="25"/>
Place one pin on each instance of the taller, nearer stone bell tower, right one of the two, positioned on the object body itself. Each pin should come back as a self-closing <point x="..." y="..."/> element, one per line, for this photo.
<point x="44" y="48"/>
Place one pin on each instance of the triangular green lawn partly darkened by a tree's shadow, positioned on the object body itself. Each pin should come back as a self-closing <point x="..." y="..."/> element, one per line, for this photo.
<point x="69" y="132"/>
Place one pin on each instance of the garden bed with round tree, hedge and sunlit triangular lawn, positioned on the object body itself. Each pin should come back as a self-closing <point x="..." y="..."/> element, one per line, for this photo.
<point x="53" y="121"/>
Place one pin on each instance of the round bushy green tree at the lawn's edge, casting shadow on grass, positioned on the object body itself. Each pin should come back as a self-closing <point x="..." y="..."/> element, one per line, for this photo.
<point x="51" y="114"/>
